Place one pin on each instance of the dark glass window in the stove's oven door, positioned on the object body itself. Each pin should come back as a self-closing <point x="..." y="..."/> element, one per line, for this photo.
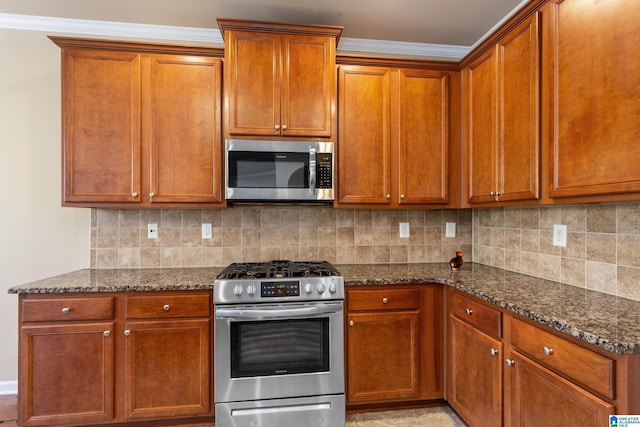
<point x="279" y="347"/>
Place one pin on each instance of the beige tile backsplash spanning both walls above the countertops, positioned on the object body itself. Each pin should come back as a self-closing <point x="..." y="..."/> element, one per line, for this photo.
<point x="602" y="252"/>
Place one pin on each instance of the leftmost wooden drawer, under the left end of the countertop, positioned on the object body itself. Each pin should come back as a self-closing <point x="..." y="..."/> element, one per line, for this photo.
<point x="65" y="309"/>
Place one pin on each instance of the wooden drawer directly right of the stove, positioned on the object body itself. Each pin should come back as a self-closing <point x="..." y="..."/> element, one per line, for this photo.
<point x="383" y="299"/>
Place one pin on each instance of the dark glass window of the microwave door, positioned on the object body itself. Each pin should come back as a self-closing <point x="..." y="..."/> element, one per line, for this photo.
<point x="249" y="169"/>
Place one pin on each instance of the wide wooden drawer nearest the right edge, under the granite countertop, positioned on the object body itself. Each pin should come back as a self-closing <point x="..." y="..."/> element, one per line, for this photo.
<point x="575" y="362"/>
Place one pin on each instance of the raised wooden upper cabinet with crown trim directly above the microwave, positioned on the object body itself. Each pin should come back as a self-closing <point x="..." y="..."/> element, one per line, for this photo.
<point x="279" y="79"/>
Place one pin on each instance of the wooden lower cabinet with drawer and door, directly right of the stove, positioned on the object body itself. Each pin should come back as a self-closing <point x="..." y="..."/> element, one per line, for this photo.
<point x="394" y="344"/>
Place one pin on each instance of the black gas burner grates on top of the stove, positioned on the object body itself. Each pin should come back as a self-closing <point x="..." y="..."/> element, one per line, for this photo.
<point x="278" y="269"/>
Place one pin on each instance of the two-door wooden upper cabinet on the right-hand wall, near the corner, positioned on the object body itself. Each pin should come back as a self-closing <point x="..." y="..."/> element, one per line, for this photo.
<point x="502" y="118"/>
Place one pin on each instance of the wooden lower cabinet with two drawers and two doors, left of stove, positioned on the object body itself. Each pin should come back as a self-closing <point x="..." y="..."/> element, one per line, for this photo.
<point x="115" y="358"/>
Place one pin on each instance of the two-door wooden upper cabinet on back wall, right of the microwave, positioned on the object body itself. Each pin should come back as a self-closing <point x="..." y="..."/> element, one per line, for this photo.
<point x="393" y="148"/>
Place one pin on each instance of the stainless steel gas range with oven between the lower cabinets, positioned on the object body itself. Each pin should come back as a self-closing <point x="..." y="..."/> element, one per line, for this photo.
<point x="279" y="350"/>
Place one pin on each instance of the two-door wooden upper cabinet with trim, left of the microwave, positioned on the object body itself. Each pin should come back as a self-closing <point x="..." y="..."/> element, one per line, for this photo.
<point x="140" y="128"/>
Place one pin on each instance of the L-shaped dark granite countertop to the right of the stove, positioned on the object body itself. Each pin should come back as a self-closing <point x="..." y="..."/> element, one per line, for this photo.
<point x="607" y="321"/>
